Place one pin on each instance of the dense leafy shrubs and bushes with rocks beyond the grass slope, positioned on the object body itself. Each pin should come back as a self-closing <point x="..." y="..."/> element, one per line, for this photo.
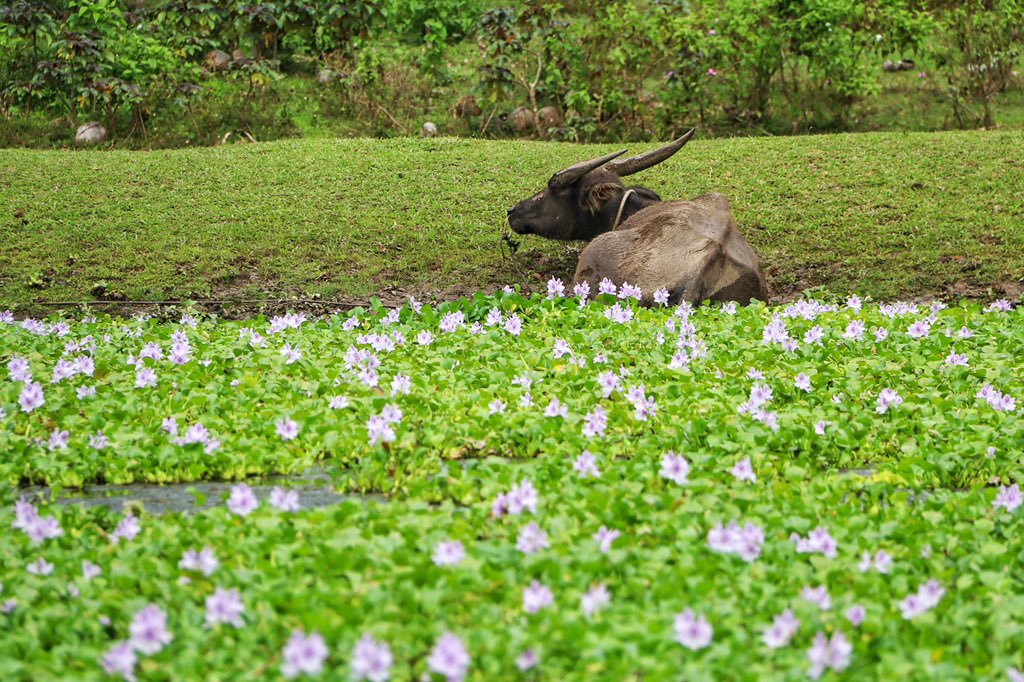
<point x="151" y="71"/>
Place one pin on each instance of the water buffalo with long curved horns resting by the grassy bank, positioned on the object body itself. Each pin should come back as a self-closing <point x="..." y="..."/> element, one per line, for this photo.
<point x="694" y="249"/>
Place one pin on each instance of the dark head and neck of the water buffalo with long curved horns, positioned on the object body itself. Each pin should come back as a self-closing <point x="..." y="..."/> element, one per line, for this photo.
<point x="585" y="200"/>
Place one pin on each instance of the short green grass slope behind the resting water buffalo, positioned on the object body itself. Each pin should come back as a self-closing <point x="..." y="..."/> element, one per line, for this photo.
<point x="888" y="216"/>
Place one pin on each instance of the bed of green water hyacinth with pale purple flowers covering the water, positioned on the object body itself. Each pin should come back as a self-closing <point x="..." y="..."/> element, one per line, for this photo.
<point x="535" y="487"/>
